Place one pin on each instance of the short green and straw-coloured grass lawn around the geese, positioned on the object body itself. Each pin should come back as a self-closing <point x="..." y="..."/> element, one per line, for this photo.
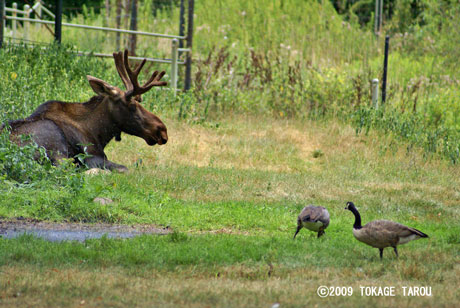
<point x="231" y="190"/>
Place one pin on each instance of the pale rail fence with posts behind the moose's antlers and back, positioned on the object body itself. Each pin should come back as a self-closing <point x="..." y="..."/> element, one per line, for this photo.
<point x="39" y="8"/>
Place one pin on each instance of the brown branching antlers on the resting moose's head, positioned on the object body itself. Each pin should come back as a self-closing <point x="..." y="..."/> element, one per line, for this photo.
<point x="129" y="77"/>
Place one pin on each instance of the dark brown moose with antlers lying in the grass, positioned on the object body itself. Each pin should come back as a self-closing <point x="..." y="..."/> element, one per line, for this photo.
<point x="67" y="129"/>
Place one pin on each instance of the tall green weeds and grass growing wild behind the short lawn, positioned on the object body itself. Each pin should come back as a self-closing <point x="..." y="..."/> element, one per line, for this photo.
<point x="301" y="59"/>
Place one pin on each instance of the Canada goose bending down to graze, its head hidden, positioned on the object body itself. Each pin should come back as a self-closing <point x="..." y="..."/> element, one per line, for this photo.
<point x="314" y="218"/>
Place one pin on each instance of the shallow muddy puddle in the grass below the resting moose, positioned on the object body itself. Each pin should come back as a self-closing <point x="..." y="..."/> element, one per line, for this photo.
<point x="57" y="232"/>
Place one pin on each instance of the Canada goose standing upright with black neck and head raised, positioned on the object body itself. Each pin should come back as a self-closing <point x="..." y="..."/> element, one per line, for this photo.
<point x="382" y="233"/>
